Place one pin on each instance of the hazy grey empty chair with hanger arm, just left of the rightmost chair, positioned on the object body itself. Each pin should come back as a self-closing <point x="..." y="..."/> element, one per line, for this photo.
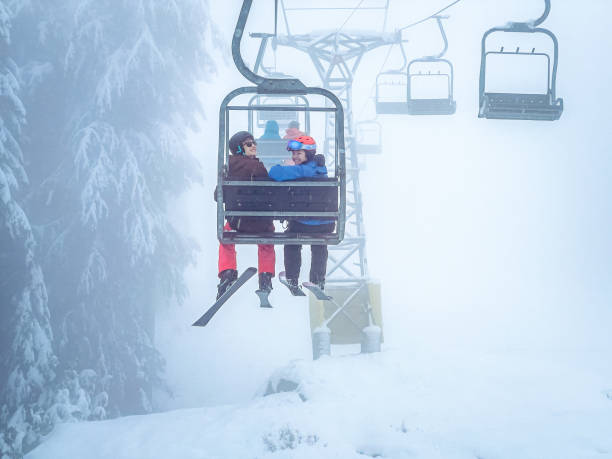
<point x="431" y="106"/>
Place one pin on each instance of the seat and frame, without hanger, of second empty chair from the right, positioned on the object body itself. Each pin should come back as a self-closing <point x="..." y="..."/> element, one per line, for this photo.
<point x="431" y="106"/>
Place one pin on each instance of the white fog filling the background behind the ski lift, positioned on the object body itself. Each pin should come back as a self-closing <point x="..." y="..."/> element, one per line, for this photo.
<point x="485" y="234"/>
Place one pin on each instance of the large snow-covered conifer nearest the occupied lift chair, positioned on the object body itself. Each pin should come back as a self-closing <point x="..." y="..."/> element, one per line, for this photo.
<point x="111" y="93"/>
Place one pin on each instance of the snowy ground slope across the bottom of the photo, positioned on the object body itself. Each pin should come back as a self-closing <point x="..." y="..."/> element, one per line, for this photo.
<point x="486" y="405"/>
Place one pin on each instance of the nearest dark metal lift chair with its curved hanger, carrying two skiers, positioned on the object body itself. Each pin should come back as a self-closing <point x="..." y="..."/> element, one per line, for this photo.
<point x="323" y="198"/>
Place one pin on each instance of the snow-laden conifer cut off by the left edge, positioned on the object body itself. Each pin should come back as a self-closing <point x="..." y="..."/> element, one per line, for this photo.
<point x="26" y="356"/>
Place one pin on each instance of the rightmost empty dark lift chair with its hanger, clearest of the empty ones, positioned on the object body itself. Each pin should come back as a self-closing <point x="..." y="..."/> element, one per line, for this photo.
<point x="521" y="106"/>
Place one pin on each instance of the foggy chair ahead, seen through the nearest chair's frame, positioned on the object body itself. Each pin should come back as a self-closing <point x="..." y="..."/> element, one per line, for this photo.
<point x="270" y="151"/>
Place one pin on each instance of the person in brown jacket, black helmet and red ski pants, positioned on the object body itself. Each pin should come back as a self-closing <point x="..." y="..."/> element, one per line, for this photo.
<point x="244" y="165"/>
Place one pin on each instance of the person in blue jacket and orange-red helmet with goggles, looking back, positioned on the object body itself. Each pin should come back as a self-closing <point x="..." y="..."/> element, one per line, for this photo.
<point x="303" y="164"/>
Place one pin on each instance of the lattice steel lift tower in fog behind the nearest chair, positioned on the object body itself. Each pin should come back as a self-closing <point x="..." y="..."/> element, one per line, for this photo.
<point x="336" y="55"/>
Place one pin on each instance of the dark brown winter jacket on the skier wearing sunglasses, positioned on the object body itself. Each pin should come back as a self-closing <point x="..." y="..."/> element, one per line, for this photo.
<point x="245" y="168"/>
